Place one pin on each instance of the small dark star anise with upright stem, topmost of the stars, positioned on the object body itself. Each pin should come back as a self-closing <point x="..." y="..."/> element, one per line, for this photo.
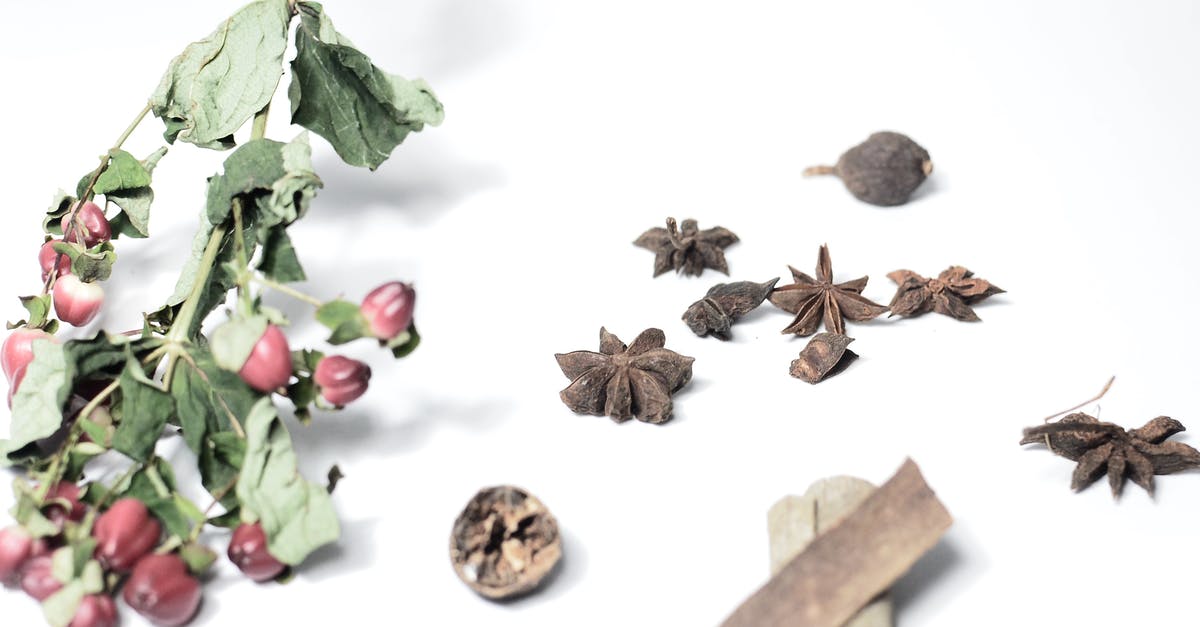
<point x="688" y="250"/>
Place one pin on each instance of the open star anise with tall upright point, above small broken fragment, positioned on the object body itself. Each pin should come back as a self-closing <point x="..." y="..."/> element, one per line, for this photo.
<point x="811" y="298"/>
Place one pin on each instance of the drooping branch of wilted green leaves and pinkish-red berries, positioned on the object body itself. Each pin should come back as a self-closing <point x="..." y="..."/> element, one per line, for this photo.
<point x="75" y="545"/>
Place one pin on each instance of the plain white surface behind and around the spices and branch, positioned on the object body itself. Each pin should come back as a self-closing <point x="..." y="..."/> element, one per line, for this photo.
<point x="1065" y="139"/>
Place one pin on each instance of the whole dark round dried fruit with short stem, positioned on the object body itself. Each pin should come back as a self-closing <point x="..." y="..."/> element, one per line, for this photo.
<point x="884" y="171"/>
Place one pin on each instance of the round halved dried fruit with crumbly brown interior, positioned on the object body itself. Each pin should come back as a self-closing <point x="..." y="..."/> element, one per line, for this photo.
<point x="505" y="542"/>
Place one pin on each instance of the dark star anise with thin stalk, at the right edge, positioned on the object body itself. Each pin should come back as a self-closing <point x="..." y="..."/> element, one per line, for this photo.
<point x="1108" y="449"/>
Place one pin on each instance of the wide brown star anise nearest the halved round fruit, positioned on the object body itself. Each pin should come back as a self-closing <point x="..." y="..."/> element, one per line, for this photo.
<point x="625" y="383"/>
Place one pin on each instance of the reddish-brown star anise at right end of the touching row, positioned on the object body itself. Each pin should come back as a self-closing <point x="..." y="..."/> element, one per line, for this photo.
<point x="952" y="294"/>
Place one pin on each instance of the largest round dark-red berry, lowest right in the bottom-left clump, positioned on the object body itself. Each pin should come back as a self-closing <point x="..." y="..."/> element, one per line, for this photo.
<point x="161" y="590"/>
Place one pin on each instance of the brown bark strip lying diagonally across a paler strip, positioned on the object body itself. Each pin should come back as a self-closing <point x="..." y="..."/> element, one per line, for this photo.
<point x="843" y="570"/>
